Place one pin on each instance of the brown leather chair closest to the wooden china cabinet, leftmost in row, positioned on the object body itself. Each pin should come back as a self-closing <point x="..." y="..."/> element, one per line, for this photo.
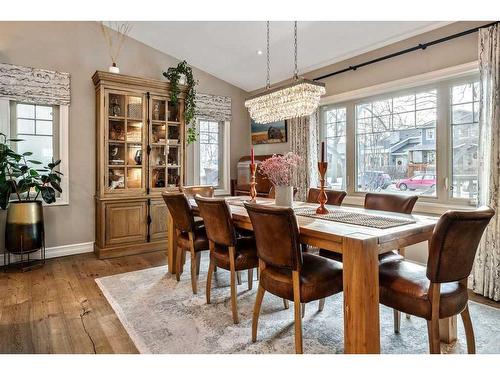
<point x="191" y="234"/>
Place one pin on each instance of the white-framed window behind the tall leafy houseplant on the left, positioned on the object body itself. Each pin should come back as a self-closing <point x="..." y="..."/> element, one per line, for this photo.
<point x="44" y="131"/>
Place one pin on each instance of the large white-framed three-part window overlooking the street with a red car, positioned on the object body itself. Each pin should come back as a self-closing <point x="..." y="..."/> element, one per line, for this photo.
<point x="418" y="141"/>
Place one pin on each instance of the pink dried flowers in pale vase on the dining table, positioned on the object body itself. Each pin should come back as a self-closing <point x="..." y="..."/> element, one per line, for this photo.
<point x="278" y="169"/>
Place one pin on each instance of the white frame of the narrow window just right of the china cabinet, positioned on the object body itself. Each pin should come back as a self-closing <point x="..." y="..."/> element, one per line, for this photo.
<point x="224" y="145"/>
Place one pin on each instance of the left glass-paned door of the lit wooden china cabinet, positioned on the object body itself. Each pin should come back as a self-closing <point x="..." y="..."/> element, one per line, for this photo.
<point x="125" y="142"/>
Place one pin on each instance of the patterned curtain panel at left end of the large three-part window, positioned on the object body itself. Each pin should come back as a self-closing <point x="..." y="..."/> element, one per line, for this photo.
<point x="303" y="138"/>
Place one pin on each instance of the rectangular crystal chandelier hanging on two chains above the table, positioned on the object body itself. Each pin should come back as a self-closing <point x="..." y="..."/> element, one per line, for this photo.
<point x="297" y="99"/>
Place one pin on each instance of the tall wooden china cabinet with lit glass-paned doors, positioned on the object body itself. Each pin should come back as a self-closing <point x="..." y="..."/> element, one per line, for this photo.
<point x="140" y="148"/>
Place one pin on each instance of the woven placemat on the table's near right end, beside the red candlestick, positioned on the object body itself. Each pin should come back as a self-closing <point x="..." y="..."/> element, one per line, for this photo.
<point x="356" y="218"/>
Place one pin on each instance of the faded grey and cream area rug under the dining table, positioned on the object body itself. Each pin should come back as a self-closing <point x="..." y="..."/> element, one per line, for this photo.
<point x="162" y="315"/>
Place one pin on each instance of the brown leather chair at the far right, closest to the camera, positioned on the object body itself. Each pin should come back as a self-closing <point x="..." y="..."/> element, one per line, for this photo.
<point x="439" y="290"/>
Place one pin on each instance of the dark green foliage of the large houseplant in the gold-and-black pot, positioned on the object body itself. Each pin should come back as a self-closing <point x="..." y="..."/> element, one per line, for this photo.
<point x="25" y="178"/>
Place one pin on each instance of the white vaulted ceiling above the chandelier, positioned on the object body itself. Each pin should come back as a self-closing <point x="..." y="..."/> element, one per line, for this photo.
<point x="228" y="50"/>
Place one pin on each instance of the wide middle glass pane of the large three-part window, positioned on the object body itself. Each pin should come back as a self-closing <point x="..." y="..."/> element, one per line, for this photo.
<point x="392" y="143"/>
